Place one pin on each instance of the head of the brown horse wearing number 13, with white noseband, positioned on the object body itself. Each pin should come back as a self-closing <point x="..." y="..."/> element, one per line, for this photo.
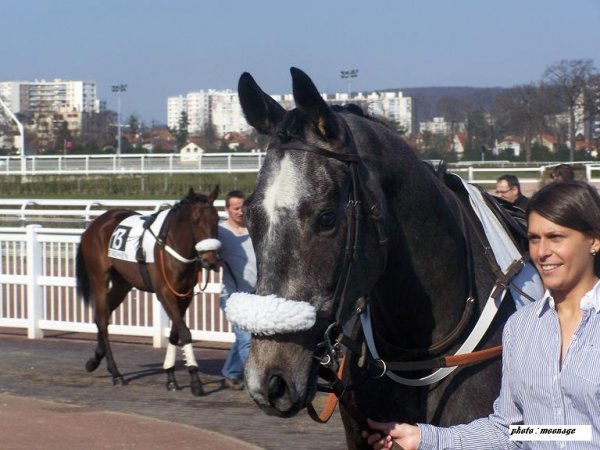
<point x="204" y="219"/>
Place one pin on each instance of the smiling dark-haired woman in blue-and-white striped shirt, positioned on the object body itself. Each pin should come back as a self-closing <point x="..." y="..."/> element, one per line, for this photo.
<point x="550" y="357"/>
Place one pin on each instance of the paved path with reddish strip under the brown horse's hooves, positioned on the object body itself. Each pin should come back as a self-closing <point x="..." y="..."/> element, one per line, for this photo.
<point x="48" y="401"/>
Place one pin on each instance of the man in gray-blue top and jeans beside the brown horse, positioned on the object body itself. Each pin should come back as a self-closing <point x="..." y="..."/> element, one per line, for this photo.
<point x="239" y="275"/>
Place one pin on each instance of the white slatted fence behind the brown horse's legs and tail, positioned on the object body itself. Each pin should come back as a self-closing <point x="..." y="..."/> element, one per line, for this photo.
<point x="38" y="293"/>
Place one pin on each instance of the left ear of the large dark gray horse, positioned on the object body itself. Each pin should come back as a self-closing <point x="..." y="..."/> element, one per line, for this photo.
<point x="261" y="111"/>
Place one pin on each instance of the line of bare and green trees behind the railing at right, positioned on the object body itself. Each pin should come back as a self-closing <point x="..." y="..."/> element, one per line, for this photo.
<point x="566" y="98"/>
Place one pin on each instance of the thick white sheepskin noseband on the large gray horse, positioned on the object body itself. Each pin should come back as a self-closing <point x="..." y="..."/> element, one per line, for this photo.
<point x="267" y="315"/>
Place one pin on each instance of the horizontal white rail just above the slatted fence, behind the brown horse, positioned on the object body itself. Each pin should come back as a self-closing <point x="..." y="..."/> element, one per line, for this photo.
<point x="80" y="212"/>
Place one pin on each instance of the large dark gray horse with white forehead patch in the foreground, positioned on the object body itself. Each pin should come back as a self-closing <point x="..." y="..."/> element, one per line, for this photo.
<point x="346" y="215"/>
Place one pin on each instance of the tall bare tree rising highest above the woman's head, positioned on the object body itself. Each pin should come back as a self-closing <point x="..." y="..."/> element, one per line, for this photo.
<point x="572" y="80"/>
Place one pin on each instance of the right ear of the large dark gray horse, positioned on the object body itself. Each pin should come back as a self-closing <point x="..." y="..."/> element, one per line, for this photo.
<point x="309" y="101"/>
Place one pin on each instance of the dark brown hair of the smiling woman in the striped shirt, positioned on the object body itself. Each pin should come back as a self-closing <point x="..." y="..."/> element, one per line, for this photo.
<point x="572" y="204"/>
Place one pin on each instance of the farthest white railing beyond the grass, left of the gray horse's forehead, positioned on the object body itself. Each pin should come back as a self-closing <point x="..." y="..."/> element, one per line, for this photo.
<point x="130" y="164"/>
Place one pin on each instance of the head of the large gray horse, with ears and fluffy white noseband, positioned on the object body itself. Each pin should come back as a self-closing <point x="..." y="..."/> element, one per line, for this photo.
<point x="317" y="226"/>
